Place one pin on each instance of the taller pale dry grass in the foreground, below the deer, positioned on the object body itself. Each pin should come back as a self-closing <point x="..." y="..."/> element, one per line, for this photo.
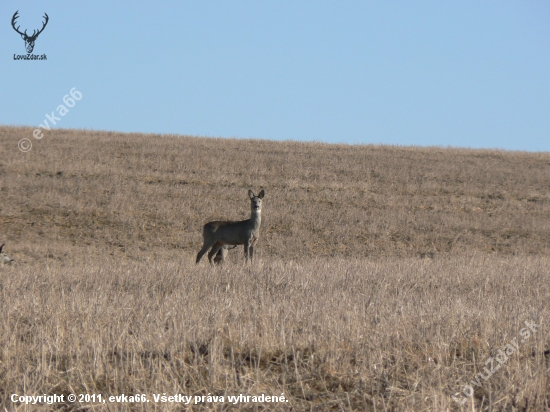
<point x="331" y="333"/>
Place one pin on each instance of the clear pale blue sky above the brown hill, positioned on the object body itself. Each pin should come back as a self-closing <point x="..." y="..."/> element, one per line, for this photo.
<point x="428" y="73"/>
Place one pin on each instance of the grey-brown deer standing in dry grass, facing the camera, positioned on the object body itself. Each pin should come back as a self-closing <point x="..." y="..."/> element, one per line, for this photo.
<point x="218" y="234"/>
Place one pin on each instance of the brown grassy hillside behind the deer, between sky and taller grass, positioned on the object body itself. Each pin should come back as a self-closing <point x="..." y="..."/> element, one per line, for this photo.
<point x="101" y="192"/>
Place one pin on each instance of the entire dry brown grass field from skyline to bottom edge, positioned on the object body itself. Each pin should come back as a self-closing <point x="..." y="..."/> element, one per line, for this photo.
<point x="385" y="278"/>
